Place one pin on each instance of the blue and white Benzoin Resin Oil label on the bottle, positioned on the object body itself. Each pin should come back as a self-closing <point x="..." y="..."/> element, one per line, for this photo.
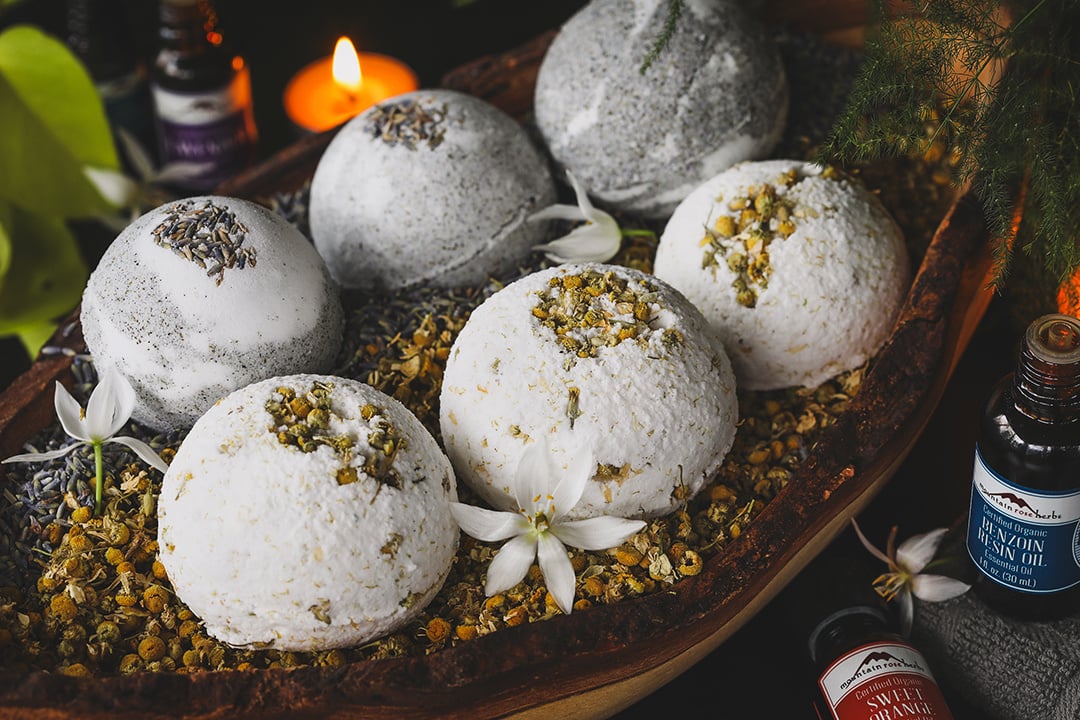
<point x="1027" y="540"/>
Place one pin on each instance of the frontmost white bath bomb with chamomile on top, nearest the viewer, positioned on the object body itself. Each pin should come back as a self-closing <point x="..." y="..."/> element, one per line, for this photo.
<point x="307" y="513"/>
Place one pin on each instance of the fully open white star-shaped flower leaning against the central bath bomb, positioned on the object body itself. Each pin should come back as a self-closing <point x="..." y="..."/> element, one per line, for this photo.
<point x="537" y="531"/>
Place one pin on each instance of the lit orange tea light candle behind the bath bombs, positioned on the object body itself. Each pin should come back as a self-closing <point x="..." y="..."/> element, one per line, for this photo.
<point x="333" y="90"/>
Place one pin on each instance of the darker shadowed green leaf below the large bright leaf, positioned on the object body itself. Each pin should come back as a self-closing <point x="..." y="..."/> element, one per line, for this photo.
<point x="47" y="275"/>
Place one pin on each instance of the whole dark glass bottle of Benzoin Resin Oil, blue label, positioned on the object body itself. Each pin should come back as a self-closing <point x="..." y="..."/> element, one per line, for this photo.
<point x="1024" y="523"/>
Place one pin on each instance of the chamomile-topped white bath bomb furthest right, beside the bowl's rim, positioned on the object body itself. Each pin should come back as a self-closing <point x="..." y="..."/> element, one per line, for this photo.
<point x="799" y="268"/>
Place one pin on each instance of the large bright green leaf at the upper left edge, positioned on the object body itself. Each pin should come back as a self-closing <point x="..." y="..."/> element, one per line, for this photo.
<point x="55" y="126"/>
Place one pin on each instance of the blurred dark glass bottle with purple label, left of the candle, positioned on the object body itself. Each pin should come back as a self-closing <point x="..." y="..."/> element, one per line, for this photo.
<point x="202" y="96"/>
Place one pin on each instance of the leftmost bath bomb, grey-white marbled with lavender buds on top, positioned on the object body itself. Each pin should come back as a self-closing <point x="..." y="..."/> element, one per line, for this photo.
<point x="206" y="295"/>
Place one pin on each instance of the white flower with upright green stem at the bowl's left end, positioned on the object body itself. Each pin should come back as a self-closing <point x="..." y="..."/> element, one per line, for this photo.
<point x="109" y="410"/>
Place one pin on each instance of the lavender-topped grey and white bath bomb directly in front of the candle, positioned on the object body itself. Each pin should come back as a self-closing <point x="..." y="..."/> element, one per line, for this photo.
<point x="431" y="187"/>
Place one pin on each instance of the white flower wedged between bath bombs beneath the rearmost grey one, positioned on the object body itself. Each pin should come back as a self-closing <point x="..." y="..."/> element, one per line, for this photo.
<point x="597" y="241"/>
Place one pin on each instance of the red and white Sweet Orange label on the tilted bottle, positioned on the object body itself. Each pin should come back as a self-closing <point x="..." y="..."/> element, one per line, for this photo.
<point x="883" y="682"/>
